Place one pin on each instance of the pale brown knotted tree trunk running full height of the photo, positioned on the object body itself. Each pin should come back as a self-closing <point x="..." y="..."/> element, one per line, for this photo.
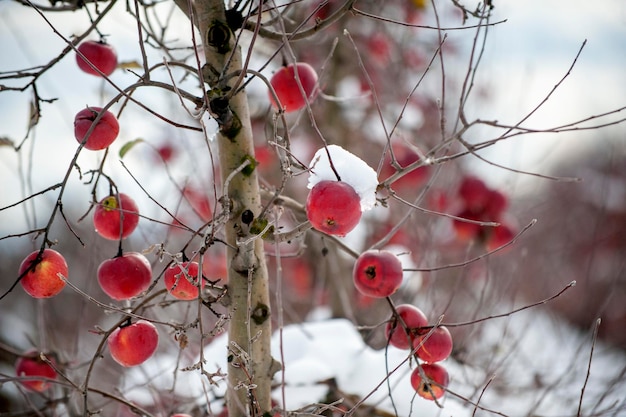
<point x="250" y="366"/>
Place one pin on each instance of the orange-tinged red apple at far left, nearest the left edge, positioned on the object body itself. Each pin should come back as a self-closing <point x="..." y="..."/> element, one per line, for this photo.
<point x="42" y="279"/>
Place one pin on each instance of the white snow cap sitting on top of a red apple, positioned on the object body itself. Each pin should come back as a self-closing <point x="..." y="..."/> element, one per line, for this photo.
<point x="352" y="170"/>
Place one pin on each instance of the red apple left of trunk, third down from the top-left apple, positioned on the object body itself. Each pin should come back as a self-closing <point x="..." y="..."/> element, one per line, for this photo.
<point x="116" y="218"/>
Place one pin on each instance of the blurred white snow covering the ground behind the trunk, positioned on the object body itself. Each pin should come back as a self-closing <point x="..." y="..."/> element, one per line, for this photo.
<point x="528" y="364"/>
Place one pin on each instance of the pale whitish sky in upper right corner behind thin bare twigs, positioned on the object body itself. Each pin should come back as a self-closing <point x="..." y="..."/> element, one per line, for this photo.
<point x="533" y="51"/>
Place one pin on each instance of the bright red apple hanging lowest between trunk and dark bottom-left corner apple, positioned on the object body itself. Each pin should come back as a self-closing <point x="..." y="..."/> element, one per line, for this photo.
<point x="133" y="344"/>
